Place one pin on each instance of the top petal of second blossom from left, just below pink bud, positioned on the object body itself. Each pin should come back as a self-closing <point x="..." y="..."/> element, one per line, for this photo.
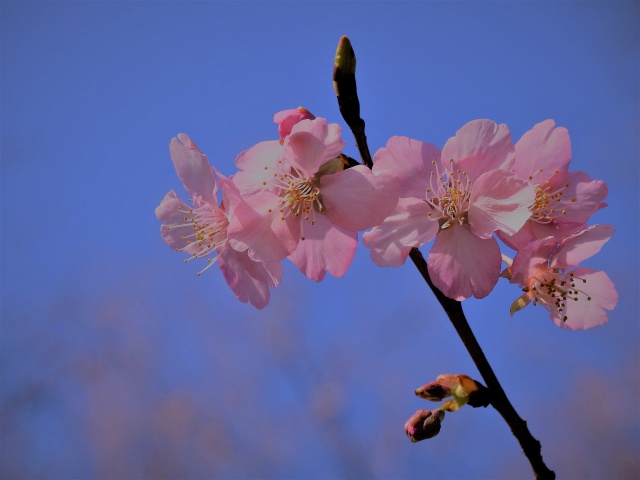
<point x="311" y="144"/>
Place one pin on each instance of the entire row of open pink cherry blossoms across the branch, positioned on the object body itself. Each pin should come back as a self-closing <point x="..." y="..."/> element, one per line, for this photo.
<point x="299" y="197"/>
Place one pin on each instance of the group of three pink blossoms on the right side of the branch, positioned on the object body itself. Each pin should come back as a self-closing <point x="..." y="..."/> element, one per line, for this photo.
<point x="480" y="185"/>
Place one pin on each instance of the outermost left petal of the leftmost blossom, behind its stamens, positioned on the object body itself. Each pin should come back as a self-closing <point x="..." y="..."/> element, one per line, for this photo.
<point x="175" y="230"/>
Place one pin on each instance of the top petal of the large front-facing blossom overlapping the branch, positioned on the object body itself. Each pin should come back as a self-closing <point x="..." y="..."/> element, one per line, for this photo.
<point x="479" y="146"/>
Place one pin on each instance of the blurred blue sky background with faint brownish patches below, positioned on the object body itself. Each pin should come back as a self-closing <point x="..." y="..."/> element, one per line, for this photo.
<point x="118" y="362"/>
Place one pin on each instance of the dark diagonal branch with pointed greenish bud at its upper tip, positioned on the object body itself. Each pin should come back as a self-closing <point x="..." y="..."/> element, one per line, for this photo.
<point x="344" y="82"/>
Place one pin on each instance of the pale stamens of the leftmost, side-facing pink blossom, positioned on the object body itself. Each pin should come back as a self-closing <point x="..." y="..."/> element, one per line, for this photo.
<point x="209" y="233"/>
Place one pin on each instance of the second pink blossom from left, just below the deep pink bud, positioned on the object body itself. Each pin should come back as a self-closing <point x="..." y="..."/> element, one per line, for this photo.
<point x="301" y="202"/>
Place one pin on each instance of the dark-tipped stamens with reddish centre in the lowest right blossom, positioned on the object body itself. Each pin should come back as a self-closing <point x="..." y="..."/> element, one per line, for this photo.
<point x="553" y="288"/>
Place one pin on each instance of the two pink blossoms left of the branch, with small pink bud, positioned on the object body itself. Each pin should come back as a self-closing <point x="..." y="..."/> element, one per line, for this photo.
<point x="291" y="198"/>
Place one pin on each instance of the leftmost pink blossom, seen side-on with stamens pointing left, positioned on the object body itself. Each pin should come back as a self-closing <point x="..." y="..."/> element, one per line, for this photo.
<point x="200" y="230"/>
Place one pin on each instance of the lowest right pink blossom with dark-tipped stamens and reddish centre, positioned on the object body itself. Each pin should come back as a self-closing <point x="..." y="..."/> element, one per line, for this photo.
<point x="576" y="298"/>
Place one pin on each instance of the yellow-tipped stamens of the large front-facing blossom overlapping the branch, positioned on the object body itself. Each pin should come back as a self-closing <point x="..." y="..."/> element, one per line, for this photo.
<point x="448" y="196"/>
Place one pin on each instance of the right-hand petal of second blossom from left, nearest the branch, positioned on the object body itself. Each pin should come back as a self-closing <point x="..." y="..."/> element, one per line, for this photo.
<point x="356" y="199"/>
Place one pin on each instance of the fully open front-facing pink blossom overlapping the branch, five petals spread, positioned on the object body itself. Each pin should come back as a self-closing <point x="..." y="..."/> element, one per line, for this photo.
<point x="460" y="197"/>
